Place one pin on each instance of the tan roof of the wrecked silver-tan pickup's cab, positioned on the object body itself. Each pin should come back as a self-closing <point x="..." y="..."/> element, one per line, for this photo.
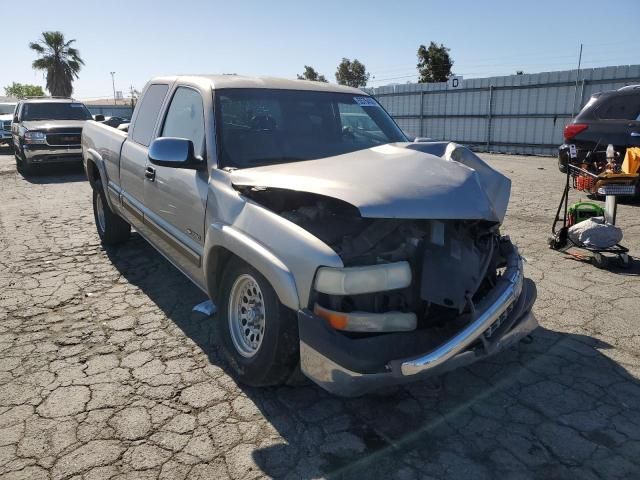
<point x="241" y="81"/>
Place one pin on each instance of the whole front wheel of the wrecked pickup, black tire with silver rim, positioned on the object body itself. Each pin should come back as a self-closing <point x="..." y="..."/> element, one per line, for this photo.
<point x="258" y="335"/>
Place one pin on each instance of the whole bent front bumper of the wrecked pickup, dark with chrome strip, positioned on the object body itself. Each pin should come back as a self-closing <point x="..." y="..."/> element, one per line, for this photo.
<point x="353" y="366"/>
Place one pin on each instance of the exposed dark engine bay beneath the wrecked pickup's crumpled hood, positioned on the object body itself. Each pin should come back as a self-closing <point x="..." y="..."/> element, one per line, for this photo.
<point x="453" y="262"/>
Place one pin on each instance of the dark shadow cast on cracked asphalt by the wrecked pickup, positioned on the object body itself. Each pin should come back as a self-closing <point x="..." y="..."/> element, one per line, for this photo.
<point x="556" y="408"/>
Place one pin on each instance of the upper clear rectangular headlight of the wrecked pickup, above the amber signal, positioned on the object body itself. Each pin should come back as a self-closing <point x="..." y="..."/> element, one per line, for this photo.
<point x="368" y="279"/>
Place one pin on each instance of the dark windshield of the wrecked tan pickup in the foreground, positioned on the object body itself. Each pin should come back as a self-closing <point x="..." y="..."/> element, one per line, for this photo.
<point x="263" y="126"/>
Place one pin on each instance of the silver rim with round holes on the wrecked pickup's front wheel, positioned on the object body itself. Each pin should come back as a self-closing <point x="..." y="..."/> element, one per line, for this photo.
<point x="246" y="315"/>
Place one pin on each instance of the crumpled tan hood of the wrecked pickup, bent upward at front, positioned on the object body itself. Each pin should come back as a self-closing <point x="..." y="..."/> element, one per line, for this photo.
<point x="396" y="181"/>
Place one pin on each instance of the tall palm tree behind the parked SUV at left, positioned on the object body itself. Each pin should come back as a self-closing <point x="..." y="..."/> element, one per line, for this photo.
<point x="60" y="60"/>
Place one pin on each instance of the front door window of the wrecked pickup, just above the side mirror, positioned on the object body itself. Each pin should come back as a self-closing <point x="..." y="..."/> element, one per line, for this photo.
<point x="185" y="118"/>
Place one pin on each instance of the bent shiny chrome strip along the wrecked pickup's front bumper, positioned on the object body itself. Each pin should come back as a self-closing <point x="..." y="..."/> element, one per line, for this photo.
<point x="490" y="308"/>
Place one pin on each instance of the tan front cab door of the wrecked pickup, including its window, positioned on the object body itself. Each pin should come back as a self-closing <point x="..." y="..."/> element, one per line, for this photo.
<point x="175" y="198"/>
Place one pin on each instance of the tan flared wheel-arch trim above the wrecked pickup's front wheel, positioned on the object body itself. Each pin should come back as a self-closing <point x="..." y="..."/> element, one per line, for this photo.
<point x="255" y="254"/>
